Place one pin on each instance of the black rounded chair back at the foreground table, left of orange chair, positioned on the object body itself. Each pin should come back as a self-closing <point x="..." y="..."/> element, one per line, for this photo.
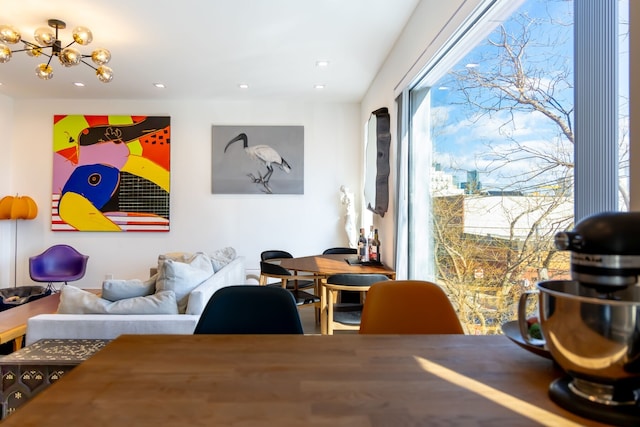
<point x="250" y="309"/>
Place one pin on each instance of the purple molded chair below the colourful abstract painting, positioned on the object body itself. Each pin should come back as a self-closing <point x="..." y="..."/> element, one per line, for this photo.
<point x="58" y="264"/>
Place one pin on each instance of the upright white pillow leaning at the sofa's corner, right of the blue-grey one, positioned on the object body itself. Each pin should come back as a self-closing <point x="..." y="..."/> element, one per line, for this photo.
<point x="182" y="278"/>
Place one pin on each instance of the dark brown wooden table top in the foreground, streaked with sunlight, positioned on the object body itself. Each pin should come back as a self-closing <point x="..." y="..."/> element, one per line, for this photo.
<point x="298" y="380"/>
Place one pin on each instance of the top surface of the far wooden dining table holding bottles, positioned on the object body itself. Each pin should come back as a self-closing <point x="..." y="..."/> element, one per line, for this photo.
<point x="326" y="265"/>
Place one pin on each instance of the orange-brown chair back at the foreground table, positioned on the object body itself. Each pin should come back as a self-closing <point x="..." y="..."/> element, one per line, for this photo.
<point x="408" y="307"/>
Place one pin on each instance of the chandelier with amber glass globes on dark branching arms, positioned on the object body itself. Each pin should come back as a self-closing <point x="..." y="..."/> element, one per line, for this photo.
<point x="47" y="38"/>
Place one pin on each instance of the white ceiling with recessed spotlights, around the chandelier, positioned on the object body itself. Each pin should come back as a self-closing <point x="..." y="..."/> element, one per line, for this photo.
<point x="205" y="48"/>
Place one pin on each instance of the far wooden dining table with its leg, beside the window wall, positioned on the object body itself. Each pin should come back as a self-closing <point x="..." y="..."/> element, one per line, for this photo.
<point x="323" y="266"/>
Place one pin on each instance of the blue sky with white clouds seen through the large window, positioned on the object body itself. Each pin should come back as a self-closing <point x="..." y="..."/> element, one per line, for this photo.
<point x="464" y="137"/>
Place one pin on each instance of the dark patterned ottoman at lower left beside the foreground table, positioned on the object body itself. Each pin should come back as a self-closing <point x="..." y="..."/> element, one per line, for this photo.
<point x="30" y="370"/>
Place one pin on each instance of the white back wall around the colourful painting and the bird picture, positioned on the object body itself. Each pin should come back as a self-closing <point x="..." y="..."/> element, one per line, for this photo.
<point x="200" y="221"/>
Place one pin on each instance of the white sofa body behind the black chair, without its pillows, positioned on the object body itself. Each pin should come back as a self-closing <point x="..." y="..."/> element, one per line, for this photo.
<point x="109" y="326"/>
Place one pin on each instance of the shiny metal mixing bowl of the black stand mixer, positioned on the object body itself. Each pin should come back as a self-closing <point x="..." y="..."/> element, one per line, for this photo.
<point x="594" y="337"/>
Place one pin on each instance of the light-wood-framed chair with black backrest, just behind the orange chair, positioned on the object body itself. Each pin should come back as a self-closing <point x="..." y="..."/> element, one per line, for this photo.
<point x="345" y="315"/>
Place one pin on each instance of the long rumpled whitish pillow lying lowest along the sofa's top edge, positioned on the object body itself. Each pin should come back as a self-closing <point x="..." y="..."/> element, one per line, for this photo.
<point x="78" y="301"/>
